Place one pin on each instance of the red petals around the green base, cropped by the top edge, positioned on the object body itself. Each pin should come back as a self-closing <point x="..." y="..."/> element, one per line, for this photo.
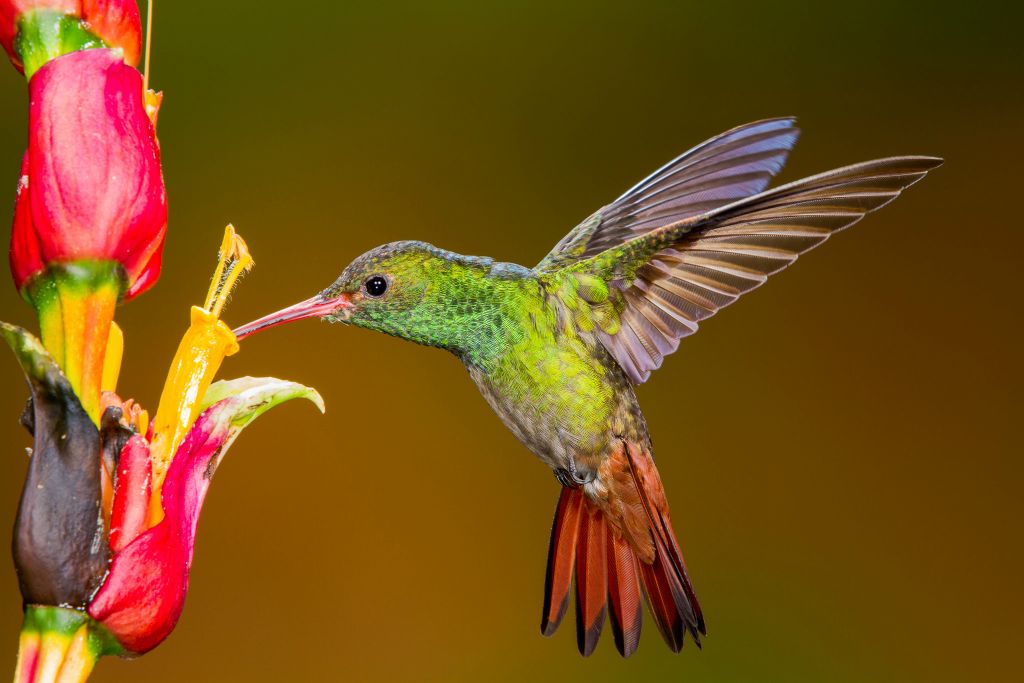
<point x="116" y="23"/>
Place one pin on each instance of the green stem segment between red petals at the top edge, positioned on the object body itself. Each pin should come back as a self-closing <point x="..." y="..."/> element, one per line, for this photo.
<point x="46" y="34"/>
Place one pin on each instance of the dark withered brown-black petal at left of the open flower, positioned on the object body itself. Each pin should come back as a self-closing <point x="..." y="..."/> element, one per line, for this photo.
<point x="61" y="550"/>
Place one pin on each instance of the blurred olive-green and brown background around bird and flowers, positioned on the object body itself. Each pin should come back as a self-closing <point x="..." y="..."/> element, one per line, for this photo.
<point x="840" y="449"/>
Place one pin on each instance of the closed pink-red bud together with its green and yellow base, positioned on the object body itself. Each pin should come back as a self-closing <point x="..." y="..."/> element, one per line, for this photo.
<point x="92" y="210"/>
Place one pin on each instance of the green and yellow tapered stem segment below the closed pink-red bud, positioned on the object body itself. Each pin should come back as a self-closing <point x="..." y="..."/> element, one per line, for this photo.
<point x="75" y="305"/>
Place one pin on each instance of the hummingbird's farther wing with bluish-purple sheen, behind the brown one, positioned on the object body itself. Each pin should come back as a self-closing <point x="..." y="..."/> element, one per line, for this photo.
<point x="737" y="164"/>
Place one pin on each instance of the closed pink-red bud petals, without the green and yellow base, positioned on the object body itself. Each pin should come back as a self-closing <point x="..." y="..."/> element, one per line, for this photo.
<point x="92" y="187"/>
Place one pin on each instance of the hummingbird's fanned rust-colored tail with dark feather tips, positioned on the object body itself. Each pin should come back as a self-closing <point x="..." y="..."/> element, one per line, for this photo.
<point x="610" y="570"/>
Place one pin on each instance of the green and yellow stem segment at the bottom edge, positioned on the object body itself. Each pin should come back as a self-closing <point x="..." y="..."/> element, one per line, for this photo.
<point x="61" y="646"/>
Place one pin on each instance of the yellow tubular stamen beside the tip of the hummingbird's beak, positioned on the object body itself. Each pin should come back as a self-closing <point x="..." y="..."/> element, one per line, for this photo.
<point x="205" y="346"/>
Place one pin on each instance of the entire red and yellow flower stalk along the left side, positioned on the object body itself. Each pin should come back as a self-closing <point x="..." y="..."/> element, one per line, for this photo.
<point x="107" y="522"/>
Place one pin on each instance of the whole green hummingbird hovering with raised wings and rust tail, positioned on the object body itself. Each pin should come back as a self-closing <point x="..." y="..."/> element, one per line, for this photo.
<point x="558" y="350"/>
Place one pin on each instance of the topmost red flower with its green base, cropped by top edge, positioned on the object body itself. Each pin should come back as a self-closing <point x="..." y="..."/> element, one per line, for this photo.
<point x="36" y="31"/>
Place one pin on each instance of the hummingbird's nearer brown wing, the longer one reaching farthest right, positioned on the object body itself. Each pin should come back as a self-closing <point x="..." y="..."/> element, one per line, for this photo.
<point x="664" y="283"/>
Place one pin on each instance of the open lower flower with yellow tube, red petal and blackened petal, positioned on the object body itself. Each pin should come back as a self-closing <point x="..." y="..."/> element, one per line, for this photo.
<point x="108" y="519"/>
